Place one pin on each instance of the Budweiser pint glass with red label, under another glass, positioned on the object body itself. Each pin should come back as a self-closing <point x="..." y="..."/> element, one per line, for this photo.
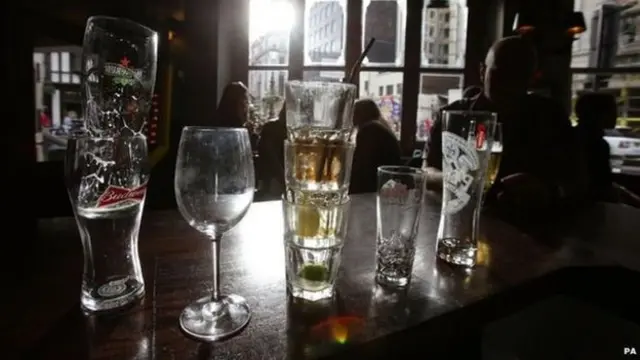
<point x="106" y="182"/>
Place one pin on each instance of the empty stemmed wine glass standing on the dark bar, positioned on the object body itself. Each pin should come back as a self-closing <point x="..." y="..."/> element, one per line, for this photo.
<point x="214" y="186"/>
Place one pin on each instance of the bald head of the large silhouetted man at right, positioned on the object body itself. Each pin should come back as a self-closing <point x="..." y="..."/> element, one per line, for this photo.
<point x="509" y="68"/>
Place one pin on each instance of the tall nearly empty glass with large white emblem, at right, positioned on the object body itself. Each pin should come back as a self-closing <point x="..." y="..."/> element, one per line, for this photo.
<point x="467" y="141"/>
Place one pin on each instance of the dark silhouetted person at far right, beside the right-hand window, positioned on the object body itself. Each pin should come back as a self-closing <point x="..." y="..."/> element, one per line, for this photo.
<point x="596" y="112"/>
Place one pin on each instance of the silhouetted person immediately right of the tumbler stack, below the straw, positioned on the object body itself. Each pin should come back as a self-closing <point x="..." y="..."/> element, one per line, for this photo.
<point x="376" y="145"/>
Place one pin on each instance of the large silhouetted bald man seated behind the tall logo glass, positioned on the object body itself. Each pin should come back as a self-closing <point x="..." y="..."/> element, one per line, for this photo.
<point x="540" y="168"/>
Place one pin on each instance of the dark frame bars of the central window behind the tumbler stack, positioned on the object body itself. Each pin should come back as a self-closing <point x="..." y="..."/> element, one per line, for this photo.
<point x="411" y="68"/>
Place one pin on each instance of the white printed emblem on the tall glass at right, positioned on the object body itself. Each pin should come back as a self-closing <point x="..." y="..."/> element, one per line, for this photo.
<point x="459" y="161"/>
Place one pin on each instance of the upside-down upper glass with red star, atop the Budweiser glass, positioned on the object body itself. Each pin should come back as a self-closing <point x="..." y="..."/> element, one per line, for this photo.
<point x="119" y="59"/>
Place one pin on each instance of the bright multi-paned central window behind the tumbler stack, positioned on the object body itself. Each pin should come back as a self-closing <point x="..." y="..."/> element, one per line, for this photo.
<point x="327" y="47"/>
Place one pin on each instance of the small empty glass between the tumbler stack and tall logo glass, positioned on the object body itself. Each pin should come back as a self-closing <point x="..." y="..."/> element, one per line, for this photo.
<point x="399" y="200"/>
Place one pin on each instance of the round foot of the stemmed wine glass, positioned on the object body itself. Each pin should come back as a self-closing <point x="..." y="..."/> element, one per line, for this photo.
<point x="205" y="320"/>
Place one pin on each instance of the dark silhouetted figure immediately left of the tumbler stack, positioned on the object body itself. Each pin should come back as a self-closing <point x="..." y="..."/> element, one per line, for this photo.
<point x="271" y="152"/>
